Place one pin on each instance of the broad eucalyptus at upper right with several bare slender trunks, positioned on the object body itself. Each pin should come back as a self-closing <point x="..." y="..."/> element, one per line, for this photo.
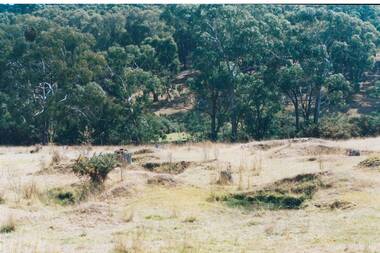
<point x="321" y="44"/>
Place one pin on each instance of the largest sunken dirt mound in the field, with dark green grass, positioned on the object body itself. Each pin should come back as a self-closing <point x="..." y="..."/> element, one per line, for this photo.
<point x="288" y="193"/>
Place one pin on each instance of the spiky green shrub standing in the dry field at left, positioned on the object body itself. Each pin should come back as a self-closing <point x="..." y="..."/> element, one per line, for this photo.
<point x="95" y="168"/>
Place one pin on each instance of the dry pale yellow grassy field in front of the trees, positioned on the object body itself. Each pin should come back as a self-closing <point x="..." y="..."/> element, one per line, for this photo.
<point x="194" y="206"/>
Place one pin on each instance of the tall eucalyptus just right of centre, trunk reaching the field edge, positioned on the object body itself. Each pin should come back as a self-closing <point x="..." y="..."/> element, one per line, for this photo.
<point x="230" y="35"/>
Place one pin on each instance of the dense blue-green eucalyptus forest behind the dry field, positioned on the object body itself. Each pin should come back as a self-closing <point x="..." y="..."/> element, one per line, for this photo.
<point x="94" y="74"/>
